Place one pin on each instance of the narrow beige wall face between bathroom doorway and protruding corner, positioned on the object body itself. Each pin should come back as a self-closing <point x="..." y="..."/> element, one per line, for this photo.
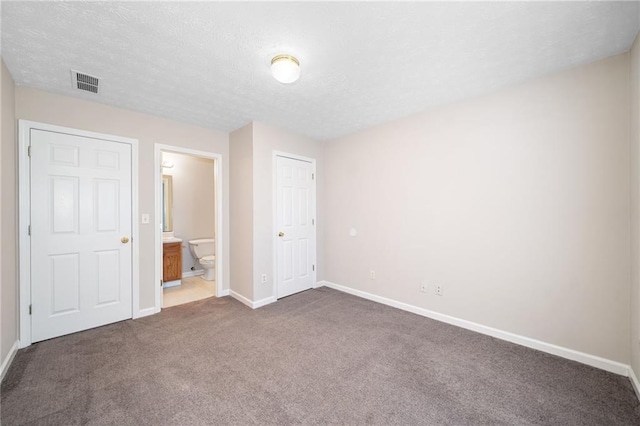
<point x="241" y="207"/>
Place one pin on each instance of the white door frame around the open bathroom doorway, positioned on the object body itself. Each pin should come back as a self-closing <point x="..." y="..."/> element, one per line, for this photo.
<point x="157" y="222"/>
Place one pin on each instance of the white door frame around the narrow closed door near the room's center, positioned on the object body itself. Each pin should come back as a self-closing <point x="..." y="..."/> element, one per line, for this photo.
<point x="314" y="215"/>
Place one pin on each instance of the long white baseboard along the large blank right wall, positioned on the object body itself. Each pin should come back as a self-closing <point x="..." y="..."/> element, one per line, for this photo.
<point x="592" y="360"/>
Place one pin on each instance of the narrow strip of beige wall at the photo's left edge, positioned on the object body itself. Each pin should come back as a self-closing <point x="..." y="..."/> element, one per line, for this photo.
<point x="8" y="215"/>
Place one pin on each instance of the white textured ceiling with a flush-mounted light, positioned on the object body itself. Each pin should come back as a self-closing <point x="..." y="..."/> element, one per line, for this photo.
<point x="362" y="63"/>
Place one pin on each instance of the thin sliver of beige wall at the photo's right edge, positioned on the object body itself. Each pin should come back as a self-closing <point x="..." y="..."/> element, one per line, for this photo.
<point x="634" y="136"/>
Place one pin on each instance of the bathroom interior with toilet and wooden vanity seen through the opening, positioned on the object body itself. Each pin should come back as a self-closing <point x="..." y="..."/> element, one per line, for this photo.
<point x="188" y="228"/>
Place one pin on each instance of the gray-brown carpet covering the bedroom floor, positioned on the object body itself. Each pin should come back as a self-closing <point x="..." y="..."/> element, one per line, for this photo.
<point x="318" y="357"/>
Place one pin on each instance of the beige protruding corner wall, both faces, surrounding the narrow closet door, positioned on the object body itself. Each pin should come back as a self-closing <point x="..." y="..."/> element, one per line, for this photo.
<point x="252" y="149"/>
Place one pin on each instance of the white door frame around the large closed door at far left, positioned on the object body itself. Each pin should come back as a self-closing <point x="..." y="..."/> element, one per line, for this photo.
<point x="24" y="217"/>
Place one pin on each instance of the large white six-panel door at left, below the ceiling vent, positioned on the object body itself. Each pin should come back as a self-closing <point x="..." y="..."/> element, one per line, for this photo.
<point x="80" y="212"/>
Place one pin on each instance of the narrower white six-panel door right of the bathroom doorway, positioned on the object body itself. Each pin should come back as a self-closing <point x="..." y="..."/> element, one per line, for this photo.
<point x="295" y="247"/>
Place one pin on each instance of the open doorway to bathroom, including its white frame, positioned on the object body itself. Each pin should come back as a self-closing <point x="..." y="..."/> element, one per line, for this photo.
<point x="187" y="219"/>
